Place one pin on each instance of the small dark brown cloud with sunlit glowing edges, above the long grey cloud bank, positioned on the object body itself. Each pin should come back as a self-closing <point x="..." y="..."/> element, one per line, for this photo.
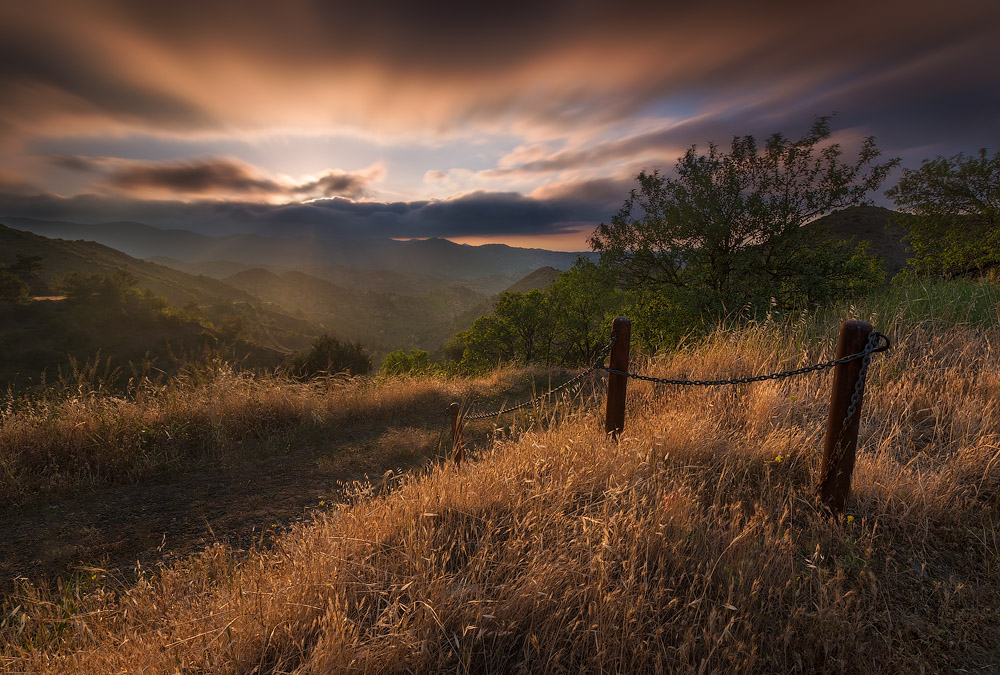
<point x="215" y="178"/>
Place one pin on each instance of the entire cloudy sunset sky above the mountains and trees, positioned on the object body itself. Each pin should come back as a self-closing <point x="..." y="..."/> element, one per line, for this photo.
<point x="519" y="122"/>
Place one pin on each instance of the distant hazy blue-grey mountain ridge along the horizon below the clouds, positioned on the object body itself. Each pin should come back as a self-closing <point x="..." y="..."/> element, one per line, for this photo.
<point x="431" y="257"/>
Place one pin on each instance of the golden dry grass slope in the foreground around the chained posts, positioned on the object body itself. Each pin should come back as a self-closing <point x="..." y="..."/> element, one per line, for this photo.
<point x="691" y="545"/>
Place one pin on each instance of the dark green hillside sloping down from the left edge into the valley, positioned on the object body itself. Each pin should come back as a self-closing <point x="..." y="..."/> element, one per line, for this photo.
<point x="42" y="335"/>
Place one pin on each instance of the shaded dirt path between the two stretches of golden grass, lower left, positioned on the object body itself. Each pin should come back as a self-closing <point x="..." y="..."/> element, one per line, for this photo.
<point x="246" y="502"/>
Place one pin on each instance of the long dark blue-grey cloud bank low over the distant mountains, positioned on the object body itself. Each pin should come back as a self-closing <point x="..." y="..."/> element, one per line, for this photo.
<point x="478" y="214"/>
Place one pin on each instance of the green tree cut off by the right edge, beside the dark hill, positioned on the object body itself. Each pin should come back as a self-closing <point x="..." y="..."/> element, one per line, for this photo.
<point x="952" y="208"/>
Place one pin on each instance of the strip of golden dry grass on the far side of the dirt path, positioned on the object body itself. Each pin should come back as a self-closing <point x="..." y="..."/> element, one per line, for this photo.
<point x="78" y="436"/>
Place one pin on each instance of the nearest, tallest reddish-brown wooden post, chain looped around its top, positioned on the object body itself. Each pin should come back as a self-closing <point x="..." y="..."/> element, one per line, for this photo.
<point x="842" y="442"/>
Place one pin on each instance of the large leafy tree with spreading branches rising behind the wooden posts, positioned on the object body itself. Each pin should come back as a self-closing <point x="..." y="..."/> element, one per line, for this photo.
<point x="726" y="230"/>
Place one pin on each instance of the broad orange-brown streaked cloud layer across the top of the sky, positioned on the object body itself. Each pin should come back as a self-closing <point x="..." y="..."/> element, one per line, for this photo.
<point x="208" y="67"/>
